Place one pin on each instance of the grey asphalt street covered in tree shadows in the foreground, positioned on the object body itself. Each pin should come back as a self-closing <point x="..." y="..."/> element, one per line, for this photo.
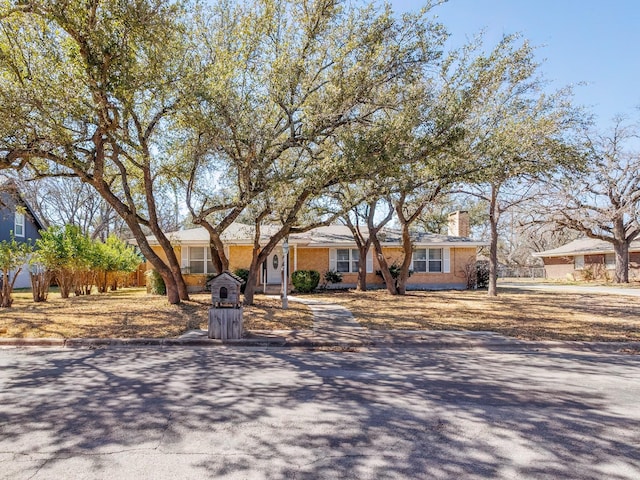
<point x="193" y="413"/>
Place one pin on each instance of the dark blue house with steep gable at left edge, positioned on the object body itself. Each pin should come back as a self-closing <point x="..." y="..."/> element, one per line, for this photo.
<point x="17" y="220"/>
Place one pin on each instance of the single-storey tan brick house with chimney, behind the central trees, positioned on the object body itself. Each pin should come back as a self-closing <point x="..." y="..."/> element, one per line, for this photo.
<point x="438" y="262"/>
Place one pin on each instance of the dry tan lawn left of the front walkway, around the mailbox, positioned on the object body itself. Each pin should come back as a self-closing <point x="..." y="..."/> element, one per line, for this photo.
<point x="131" y="313"/>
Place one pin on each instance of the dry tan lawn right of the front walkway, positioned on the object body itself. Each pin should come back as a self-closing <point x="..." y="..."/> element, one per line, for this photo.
<point x="525" y="315"/>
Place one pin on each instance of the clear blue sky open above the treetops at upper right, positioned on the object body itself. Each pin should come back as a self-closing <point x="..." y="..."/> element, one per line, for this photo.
<point x="595" y="42"/>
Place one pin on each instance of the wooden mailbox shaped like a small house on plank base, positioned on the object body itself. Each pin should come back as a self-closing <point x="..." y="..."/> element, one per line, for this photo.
<point x="225" y="314"/>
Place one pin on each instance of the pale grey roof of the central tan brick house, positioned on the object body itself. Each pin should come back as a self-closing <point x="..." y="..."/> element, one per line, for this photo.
<point x="327" y="236"/>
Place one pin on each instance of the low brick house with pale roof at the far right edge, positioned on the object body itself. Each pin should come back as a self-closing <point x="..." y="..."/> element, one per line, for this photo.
<point x="586" y="259"/>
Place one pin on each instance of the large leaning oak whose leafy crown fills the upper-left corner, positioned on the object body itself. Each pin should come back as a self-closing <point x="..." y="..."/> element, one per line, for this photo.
<point x="87" y="90"/>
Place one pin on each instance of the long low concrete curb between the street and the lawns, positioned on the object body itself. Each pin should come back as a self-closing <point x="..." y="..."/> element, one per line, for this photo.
<point x="448" y="340"/>
